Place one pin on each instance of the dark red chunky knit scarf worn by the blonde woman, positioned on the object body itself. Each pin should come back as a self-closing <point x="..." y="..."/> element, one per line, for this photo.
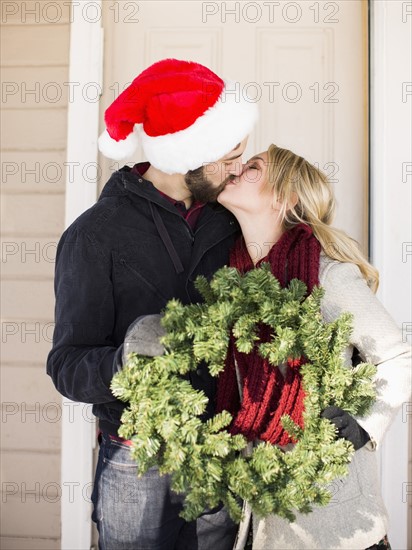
<point x="267" y="394"/>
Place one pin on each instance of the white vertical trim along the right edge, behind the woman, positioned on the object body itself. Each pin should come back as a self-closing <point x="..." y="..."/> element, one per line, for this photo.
<point x="391" y="205"/>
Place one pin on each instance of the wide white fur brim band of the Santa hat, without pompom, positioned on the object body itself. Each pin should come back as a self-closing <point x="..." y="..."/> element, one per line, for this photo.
<point x="208" y="139"/>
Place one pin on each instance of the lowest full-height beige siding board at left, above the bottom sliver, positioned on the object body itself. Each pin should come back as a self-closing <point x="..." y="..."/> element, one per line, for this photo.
<point x="40" y="519"/>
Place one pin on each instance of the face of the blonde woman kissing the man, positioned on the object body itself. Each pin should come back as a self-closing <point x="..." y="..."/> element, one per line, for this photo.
<point x="245" y="192"/>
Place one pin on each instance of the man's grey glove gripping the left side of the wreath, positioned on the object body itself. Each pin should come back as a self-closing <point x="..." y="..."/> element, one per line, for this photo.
<point x="142" y="337"/>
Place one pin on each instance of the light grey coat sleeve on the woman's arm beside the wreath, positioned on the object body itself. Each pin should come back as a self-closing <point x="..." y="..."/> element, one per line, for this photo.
<point x="375" y="335"/>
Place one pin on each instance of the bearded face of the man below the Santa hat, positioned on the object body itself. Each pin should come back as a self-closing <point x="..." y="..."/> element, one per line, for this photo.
<point x="205" y="183"/>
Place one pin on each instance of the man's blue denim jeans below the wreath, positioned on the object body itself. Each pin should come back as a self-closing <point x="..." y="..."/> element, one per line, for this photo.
<point x="134" y="513"/>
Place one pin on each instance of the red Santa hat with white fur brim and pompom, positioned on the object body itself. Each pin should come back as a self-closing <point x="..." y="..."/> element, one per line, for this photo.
<point x="183" y="114"/>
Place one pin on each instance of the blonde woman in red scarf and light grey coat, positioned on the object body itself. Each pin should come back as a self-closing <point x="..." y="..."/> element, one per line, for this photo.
<point x="285" y="207"/>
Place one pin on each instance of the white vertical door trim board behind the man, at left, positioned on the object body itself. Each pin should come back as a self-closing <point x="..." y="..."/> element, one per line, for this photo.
<point x="78" y="426"/>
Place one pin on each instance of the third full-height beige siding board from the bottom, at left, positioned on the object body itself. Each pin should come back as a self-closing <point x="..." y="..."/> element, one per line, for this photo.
<point x="31" y="427"/>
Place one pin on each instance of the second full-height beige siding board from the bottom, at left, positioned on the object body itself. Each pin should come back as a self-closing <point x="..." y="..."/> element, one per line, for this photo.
<point x="32" y="469"/>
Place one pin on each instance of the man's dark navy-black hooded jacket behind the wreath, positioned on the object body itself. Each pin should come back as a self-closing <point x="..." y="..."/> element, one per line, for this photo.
<point x="125" y="257"/>
